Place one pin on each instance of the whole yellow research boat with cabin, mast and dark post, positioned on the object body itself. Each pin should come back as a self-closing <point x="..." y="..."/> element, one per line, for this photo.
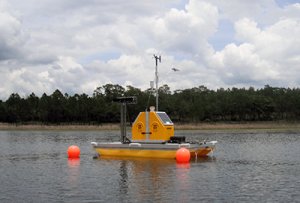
<point x="152" y="135"/>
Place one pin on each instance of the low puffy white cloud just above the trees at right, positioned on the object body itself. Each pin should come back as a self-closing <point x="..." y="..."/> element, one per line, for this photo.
<point x="242" y="65"/>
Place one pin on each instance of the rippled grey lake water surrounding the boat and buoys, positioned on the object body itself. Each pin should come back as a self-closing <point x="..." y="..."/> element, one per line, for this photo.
<point x="245" y="167"/>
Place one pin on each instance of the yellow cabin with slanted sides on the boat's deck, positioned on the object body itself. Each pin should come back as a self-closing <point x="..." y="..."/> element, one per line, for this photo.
<point x="152" y="126"/>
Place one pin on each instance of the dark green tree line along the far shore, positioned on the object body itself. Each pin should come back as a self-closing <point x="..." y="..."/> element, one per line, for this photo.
<point x="196" y="104"/>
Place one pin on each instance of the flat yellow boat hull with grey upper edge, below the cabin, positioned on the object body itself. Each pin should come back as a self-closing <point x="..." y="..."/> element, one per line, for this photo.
<point x="151" y="150"/>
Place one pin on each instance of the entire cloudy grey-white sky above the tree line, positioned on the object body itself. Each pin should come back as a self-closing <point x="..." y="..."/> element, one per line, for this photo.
<point x="76" y="45"/>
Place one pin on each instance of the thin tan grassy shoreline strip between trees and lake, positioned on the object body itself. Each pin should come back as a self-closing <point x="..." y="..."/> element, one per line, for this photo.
<point x="270" y="126"/>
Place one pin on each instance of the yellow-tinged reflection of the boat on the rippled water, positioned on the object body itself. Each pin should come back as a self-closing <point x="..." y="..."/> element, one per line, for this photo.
<point x="154" y="179"/>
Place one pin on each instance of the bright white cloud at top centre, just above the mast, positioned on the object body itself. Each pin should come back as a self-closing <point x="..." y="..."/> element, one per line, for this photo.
<point x="184" y="31"/>
